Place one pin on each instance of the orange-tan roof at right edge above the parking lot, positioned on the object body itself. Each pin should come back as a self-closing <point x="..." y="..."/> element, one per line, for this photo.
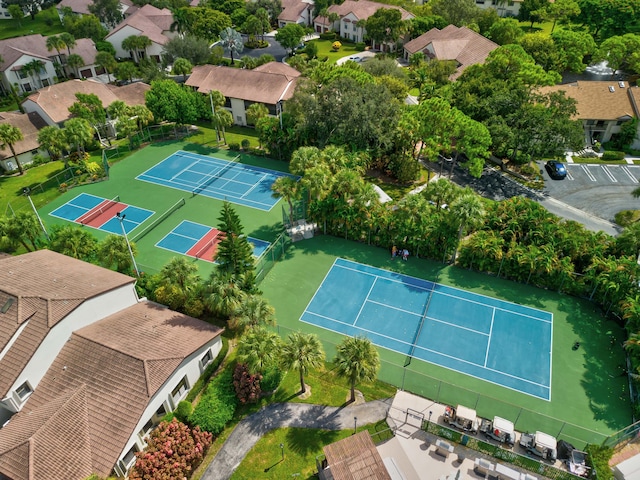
<point x="596" y="102"/>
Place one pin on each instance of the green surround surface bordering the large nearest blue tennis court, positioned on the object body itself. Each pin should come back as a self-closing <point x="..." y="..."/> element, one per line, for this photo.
<point x="589" y="398"/>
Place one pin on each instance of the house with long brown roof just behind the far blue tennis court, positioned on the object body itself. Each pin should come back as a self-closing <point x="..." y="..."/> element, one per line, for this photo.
<point x="270" y="84"/>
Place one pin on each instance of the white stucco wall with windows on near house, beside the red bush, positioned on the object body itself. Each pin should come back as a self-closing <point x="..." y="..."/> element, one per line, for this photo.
<point x="190" y="368"/>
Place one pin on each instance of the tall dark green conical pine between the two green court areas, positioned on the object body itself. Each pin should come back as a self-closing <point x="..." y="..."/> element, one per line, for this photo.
<point x="235" y="253"/>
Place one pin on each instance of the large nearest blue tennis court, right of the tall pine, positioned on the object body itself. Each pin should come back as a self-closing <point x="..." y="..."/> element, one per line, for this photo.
<point x="497" y="341"/>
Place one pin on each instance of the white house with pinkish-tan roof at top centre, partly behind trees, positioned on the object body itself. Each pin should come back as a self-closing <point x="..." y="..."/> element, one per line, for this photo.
<point x="352" y="13"/>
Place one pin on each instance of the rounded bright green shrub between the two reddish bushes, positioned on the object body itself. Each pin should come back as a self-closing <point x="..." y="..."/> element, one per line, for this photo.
<point x="217" y="405"/>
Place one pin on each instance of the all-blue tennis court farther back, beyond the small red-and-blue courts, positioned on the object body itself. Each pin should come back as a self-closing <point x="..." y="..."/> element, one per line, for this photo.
<point x="216" y="178"/>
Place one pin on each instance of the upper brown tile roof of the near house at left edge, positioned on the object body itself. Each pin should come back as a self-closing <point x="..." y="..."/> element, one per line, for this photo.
<point x="45" y="287"/>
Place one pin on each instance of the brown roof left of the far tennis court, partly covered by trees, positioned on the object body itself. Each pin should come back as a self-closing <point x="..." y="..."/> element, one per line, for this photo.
<point x="56" y="99"/>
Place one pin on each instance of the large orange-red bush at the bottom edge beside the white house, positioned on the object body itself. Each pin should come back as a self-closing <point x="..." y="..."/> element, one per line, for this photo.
<point x="173" y="451"/>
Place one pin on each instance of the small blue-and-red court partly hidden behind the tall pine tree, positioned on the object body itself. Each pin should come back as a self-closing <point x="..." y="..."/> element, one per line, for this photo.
<point x="200" y="241"/>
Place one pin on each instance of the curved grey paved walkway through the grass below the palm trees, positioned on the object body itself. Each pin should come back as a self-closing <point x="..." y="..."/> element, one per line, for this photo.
<point x="280" y="415"/>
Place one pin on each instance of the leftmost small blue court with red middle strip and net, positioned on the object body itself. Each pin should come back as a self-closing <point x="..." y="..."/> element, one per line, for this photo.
<point x="100" y="213"/>
